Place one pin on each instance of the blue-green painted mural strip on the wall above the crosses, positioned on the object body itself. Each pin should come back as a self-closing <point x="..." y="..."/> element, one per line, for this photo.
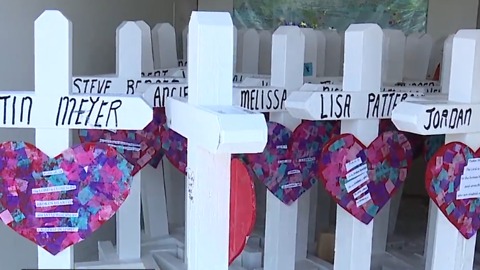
<point x="406" y="15"/>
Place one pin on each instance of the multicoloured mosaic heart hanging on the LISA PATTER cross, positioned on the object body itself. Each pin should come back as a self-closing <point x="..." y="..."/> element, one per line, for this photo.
<point x="362" y="180"/>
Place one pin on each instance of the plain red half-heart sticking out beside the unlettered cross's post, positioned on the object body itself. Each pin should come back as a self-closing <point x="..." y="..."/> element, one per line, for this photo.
<point x="242" y="207"/>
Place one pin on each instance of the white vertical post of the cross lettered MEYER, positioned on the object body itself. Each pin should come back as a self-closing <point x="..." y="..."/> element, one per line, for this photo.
<point x="53" y="74"/>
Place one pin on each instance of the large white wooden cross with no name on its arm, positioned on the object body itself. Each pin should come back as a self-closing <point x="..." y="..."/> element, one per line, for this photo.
<point x="214" y="129"/>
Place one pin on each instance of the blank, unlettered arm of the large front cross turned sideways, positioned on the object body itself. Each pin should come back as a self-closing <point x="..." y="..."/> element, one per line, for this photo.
<point x="218" y="129"/>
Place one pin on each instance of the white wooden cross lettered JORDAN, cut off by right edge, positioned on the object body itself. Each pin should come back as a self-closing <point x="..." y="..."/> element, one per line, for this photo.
<point x="449" y="249"/>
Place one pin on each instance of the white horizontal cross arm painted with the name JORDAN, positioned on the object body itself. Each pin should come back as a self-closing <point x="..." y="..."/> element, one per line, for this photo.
<point x="435" y="117"/>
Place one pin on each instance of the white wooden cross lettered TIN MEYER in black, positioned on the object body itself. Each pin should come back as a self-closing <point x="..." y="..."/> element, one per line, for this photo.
<point x="53" y="66"/>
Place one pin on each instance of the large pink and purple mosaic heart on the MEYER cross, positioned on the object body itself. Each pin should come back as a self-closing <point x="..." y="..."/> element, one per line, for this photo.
<point x="58" y="202"/>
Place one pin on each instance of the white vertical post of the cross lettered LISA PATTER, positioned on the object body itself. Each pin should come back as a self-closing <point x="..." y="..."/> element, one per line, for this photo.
<point x="362" y="72"/>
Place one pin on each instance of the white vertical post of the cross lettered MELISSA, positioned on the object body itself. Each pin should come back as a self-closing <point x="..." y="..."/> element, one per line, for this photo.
<point x="288" y="44"/>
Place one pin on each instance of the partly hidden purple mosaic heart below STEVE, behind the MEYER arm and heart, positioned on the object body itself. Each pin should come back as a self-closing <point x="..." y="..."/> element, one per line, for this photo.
<point x="139" y="147"/>
